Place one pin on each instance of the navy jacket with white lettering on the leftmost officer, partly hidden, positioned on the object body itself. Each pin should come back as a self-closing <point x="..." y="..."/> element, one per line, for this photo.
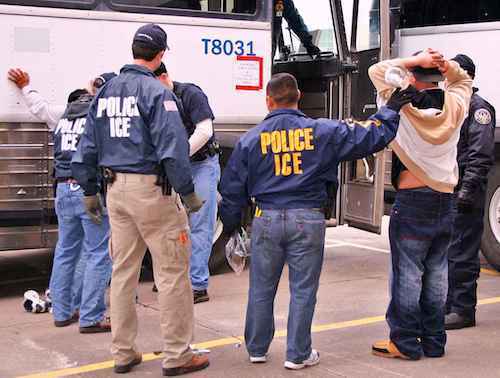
<point x="67" y="133"/>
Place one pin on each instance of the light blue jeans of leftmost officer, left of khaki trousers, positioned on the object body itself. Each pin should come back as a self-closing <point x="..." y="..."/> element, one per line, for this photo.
<point x="78" y="236"/>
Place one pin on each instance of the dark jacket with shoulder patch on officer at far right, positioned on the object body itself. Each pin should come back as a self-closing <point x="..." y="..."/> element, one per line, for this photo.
<point x="476" y="147"/>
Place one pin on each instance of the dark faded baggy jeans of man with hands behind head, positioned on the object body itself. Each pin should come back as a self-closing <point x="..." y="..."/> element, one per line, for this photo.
<point x="419" y="234"/>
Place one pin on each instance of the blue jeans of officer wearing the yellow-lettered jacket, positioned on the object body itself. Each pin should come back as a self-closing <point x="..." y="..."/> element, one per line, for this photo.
<point x="295" y="237"/>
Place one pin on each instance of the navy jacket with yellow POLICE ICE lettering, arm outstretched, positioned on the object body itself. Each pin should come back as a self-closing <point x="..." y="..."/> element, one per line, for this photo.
<point x="287" y="160"/>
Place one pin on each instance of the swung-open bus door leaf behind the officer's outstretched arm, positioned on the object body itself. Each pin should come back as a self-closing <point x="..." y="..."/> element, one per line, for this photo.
<point x="362" y="194"/>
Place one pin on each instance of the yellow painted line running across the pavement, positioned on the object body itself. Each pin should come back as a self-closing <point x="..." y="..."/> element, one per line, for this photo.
<point x="222" y="342"/>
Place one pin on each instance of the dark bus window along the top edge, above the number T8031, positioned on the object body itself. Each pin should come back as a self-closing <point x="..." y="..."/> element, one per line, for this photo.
<point x="219" y="6"/>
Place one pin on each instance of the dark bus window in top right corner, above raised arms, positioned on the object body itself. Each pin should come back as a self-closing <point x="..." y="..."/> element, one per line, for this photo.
<point x="418" y="13"/>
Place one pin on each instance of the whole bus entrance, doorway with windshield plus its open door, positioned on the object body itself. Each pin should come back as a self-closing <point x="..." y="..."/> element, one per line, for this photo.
<point x="336" y="85"/>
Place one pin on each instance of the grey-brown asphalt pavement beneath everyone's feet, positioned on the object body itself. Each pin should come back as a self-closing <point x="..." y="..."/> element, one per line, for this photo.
<point x="349" y="317"/>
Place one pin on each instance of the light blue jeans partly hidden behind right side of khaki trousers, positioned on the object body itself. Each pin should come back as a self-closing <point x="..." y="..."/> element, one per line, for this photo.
<point x="206" y="176"/>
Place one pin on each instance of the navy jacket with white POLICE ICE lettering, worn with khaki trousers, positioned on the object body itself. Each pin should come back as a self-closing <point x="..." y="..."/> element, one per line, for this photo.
<point x="133" y="126"/>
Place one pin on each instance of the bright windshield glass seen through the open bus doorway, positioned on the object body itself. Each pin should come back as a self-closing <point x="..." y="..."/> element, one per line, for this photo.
<point x="317" y="15"/>
